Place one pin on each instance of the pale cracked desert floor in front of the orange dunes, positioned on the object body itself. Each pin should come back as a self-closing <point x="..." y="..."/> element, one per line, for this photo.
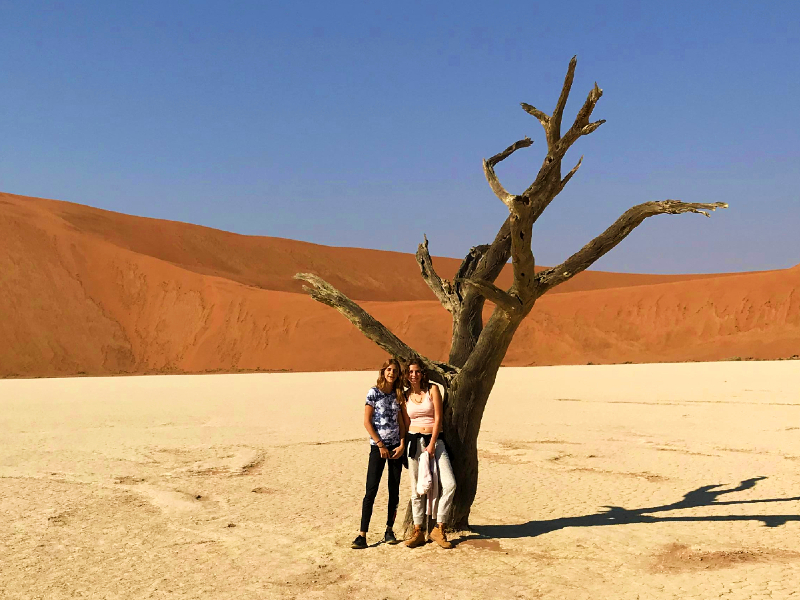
<point x="630" y="481"/>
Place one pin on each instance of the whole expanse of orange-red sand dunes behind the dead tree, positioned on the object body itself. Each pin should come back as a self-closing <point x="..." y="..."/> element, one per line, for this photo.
<point x="87" y="291"/>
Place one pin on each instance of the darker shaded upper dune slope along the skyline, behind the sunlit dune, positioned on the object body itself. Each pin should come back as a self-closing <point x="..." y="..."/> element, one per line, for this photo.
<point x="270" y="263"/>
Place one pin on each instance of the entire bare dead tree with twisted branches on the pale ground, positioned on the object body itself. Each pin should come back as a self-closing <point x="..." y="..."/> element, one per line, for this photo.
<point x="477" y="349"/>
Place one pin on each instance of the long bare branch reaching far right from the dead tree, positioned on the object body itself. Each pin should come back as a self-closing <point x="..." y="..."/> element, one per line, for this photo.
<point x="632" y="218"/>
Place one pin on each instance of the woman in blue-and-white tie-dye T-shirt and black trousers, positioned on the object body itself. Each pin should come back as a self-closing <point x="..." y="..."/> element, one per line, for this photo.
<point x="383" y="421"/>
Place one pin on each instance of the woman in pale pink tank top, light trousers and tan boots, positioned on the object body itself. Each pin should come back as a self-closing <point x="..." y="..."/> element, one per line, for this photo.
<point x="423" y="416"/>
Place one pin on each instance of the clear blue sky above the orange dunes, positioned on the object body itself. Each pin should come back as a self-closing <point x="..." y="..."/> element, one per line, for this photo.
<point x="364" y="123"/>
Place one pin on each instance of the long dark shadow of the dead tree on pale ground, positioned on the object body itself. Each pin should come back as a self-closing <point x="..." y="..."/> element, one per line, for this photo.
<point x="616" y="515"/>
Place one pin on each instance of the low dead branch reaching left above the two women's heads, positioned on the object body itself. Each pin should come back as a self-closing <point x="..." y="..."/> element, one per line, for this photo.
<point x="323" y="292"/>
